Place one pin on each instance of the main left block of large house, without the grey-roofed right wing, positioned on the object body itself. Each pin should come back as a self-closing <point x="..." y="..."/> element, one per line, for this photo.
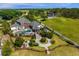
<point x="21" y="27"/>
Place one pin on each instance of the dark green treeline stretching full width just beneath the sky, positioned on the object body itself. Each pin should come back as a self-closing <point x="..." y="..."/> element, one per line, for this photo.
<point x="65" y="12"/>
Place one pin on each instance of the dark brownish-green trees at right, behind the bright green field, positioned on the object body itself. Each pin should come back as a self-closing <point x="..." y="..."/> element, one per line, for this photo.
<point x="69" y="13"/>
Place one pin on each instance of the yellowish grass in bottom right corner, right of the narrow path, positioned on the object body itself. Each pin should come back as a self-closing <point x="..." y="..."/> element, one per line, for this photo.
<point x="65" y="51"/>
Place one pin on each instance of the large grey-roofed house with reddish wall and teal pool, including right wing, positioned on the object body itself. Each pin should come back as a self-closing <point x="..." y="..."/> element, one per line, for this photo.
<point x="23" y="26"/>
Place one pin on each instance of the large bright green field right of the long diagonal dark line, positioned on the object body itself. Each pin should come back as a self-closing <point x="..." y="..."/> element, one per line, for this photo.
<point x="66" y="26"/>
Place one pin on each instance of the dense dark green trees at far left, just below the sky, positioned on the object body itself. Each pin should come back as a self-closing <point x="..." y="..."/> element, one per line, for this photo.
<point x="9" y="14"/>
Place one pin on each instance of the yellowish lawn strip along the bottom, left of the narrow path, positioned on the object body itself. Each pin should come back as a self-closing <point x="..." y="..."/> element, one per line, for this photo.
<point x="27" y="53"/>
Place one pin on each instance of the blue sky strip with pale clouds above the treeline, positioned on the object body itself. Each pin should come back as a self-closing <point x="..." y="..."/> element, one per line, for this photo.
<point x="37" y="5"/>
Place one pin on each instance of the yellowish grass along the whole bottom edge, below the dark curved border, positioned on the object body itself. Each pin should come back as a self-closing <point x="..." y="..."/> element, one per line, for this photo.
<point x="60" y="51"/>
